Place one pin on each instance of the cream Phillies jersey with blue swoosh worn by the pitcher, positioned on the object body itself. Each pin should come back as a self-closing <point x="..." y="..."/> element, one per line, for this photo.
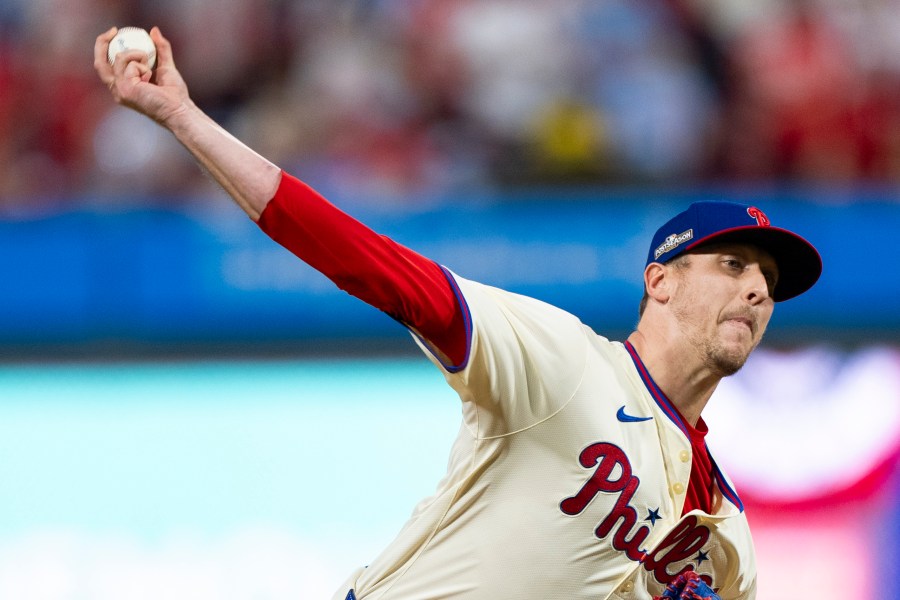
<point x="567" y="478"/>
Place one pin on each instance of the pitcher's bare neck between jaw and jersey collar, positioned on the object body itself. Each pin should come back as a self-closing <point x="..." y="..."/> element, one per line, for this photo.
<point x="678" y="371"/>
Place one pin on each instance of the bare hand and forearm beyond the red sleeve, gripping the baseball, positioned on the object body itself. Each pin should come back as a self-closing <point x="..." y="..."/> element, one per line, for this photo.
<point x="162" y="95"/>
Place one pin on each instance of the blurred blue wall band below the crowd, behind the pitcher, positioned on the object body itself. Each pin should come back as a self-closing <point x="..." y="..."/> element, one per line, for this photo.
<point x="167" y="278"/>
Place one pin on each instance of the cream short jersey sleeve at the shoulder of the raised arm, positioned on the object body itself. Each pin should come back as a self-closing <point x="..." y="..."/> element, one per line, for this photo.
<point x="526" y="359"/>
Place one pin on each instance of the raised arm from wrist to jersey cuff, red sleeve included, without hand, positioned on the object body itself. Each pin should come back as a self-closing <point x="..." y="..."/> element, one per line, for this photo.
<point x="371" y="267"/>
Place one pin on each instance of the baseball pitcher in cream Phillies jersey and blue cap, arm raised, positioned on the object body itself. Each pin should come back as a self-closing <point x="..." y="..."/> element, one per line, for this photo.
<point x="580" y="470"/>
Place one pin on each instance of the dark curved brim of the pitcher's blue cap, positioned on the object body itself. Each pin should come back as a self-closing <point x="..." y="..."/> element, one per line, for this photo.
<point x="799" y="263"/>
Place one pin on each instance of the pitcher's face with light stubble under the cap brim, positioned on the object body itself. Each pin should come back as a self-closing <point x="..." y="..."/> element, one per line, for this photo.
<point x="722" y="302"/>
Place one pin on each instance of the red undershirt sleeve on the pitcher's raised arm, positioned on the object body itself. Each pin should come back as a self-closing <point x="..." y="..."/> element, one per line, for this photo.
<point x="404" y="284"/>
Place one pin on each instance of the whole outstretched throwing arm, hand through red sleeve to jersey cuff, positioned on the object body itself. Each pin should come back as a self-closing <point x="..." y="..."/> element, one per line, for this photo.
<point x="409" y="287"/>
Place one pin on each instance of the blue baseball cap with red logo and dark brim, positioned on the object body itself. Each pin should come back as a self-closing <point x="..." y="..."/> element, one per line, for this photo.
<point x="702" y="223"/>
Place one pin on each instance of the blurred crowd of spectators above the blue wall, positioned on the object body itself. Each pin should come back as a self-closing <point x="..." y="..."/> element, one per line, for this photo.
<point x="415" y="98"/>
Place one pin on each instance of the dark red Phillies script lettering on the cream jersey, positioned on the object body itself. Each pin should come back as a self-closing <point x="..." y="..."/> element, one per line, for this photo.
<point x="684" y="541"/>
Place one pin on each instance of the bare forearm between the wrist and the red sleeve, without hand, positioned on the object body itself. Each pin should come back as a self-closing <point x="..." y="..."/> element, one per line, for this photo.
<point x="250" y="179"/>
